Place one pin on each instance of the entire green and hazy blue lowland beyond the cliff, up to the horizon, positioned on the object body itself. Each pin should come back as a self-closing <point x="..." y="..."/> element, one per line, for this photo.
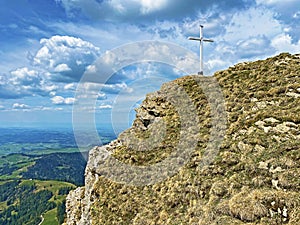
<point x="38" y="168"/>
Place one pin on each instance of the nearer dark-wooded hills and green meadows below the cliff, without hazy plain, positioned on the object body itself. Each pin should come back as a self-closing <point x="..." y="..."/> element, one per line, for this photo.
<point x="33" y="188"/>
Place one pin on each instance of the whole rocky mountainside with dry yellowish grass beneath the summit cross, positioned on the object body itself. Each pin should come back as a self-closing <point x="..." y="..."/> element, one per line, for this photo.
<point x="253" y="177"/>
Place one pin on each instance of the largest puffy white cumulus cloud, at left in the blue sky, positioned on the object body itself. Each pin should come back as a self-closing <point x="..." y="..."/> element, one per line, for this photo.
<point x="65" y="57"/>
